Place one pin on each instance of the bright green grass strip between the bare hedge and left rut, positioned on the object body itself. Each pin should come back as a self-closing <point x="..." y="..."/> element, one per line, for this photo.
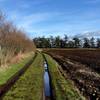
<point x="7" y="73"/>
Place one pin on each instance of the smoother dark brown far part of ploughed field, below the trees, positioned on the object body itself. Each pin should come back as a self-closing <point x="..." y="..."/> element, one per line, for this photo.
<point x="90" y="57"/>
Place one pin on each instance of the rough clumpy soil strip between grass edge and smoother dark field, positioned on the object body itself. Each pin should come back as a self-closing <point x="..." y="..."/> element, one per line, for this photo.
<point x="86" y="80"/>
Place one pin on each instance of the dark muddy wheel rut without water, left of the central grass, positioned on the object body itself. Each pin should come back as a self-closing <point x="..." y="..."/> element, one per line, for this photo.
<point x="6" y="87"/>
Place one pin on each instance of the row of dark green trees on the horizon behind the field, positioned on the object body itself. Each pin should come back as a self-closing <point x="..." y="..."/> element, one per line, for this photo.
<point x="57" y="42"/>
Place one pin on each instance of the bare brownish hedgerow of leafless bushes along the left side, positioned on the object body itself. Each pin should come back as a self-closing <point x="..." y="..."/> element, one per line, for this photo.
<point x="12" y="41"/>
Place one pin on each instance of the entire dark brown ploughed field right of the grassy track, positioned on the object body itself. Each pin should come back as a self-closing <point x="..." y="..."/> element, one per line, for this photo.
<point x="82" y="66"/>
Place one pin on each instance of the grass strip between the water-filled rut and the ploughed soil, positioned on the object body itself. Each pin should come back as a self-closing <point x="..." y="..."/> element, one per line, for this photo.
<point x="62" y="89"/>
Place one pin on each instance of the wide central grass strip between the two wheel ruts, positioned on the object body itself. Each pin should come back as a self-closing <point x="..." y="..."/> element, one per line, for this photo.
<point x="30" y="84"/>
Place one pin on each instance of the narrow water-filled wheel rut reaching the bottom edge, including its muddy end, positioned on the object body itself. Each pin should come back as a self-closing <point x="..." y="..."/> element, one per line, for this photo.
<point x="47" y="87"/>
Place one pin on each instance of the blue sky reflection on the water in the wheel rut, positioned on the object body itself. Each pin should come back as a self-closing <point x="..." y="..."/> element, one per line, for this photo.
<point x="46" y="80"/>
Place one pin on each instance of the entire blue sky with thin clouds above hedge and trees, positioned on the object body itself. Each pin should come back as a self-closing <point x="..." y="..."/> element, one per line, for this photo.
<point x="53" y="17"/>
